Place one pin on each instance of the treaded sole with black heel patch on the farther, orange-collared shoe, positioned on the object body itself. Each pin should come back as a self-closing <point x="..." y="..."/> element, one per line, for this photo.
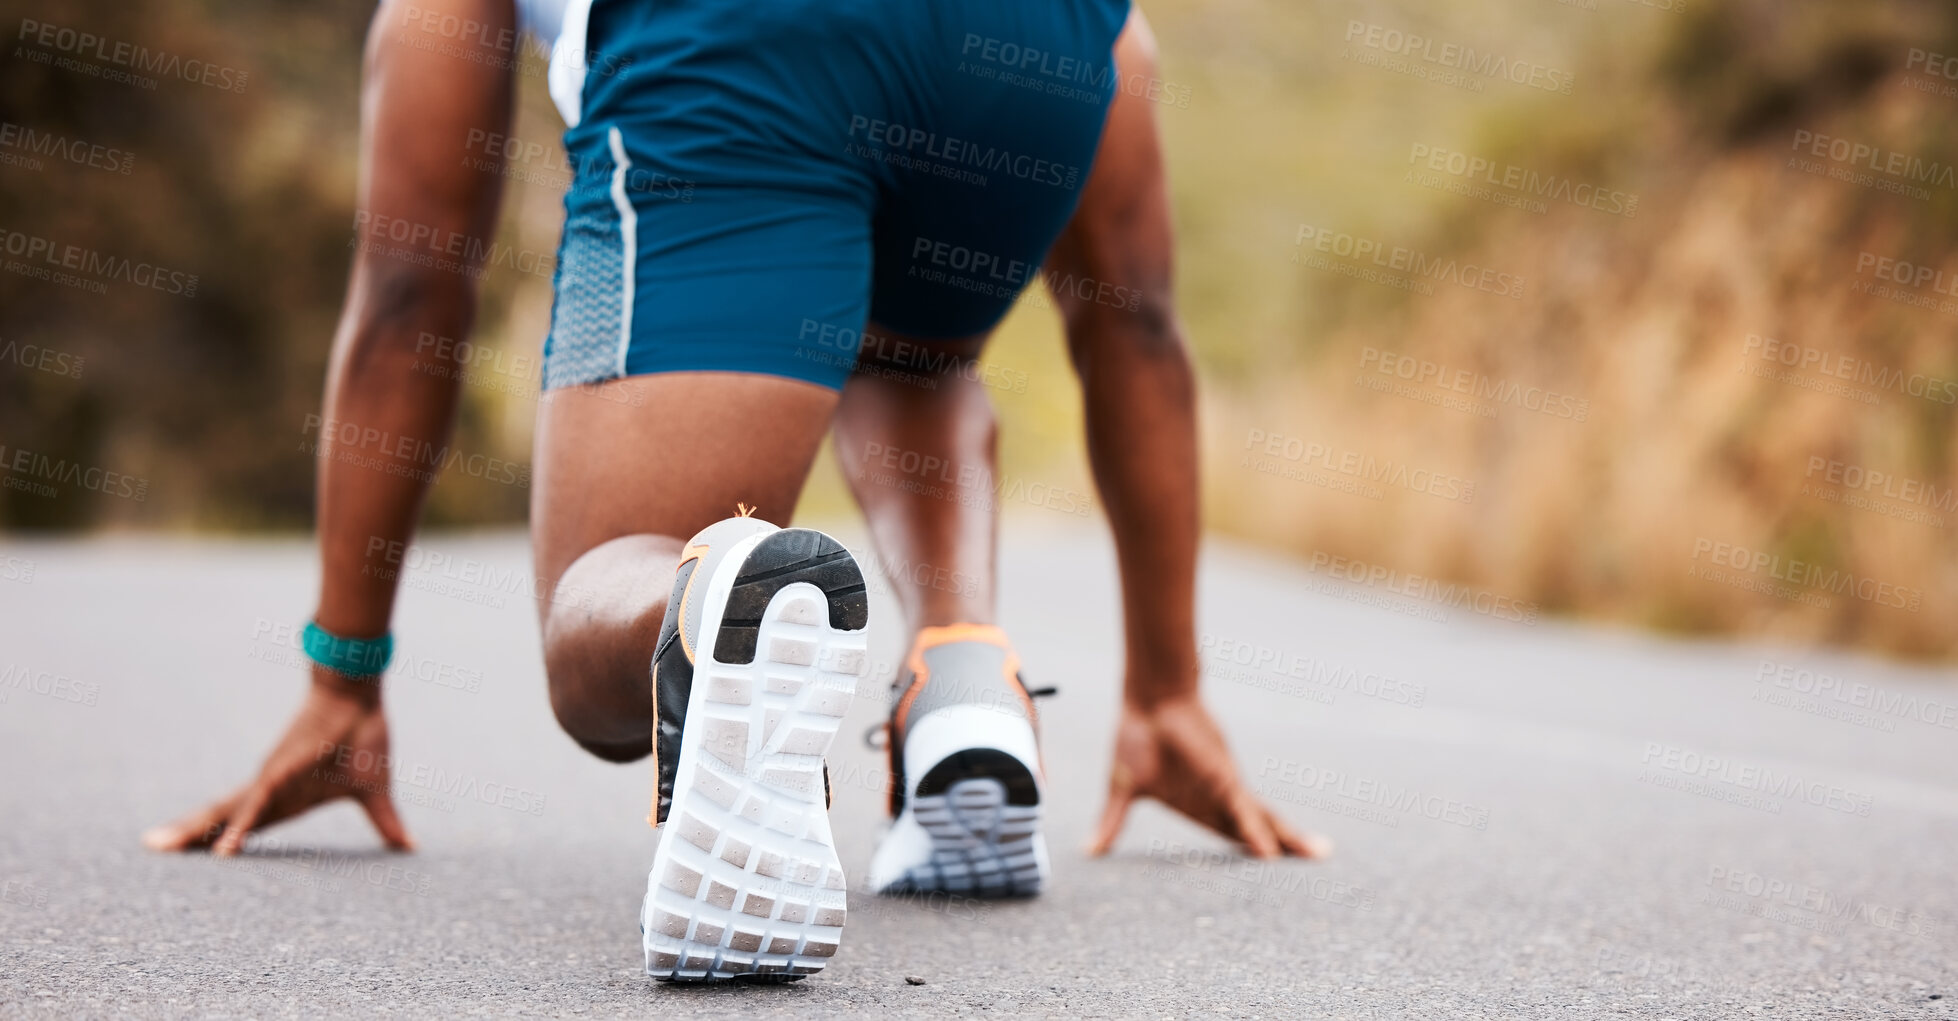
<point x="982" y="812"/>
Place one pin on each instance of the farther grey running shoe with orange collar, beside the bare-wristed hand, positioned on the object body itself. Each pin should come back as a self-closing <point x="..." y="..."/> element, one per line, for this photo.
<point x="966" y="771"/>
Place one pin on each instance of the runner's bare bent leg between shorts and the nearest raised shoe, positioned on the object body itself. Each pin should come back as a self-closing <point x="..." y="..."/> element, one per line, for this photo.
<point x="626" y="473"/>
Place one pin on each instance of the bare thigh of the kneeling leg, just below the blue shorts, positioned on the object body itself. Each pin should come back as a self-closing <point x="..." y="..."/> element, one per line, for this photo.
<point x="667" y="456"/>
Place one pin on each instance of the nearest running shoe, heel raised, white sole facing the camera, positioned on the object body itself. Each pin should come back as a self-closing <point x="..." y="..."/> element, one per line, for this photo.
<point x="755" y="669"/>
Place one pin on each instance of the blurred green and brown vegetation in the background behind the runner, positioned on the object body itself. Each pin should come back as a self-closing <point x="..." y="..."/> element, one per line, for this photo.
<point x="1691" y="107"/>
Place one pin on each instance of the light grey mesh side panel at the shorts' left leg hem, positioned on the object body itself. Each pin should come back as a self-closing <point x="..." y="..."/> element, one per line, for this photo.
<point x="588" y="318"/>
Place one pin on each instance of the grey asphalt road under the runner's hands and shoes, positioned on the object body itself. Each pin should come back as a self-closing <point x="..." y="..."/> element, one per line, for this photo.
<point x="1532" y="820"/>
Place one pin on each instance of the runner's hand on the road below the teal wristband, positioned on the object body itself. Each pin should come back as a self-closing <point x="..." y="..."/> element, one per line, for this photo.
<point x="338" y="748"/>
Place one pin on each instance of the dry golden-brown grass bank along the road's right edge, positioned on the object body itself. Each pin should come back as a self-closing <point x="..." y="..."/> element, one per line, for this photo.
<point x="1685" y="444"/>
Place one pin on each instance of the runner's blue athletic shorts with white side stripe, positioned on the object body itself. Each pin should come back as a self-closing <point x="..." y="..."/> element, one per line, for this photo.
<point x="757" y="179"/>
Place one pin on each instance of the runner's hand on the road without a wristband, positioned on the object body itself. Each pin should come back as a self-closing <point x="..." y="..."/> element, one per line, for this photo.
<point x="1176" y="754"/>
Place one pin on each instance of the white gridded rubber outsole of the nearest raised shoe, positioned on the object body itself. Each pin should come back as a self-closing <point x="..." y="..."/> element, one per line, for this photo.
<point x="747" y="881"/>
